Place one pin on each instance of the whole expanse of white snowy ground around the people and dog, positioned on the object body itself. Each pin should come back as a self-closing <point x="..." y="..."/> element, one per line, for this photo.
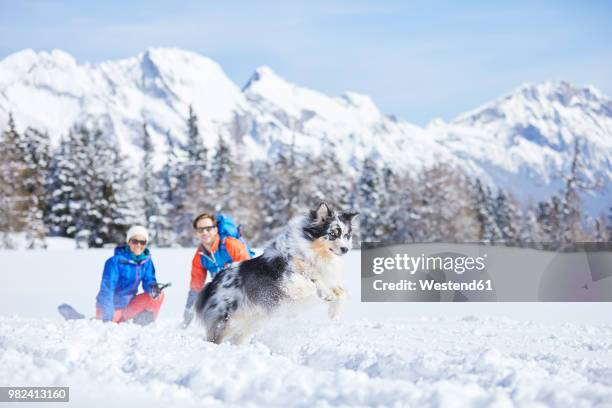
<point x="383" y="354"/>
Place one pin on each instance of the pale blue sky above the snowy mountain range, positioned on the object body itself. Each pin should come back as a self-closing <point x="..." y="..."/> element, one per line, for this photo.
<point x="418" y="60"/>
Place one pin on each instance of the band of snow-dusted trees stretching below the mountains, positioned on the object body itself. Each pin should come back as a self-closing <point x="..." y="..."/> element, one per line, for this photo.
<point x="84" y="188"/>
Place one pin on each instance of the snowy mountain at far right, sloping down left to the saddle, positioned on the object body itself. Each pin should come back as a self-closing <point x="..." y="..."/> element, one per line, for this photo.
<point x="526" y="138"/>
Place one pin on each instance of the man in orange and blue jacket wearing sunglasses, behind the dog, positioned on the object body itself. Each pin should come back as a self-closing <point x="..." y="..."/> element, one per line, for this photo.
<point x="212" y="255"/>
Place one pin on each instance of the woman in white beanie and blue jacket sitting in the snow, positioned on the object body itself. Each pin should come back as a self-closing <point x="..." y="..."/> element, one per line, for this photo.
<point x="130" y="266"/>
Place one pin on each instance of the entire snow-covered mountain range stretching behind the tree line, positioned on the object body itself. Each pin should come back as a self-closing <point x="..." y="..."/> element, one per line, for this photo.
<point x="522" y="141"/>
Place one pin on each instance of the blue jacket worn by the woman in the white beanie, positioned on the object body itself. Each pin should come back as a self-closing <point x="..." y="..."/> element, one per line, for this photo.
<point x="120" y="280"/>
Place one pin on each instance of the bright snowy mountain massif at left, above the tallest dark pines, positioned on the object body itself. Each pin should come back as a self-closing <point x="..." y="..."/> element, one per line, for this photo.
<point x="51" y="91"/>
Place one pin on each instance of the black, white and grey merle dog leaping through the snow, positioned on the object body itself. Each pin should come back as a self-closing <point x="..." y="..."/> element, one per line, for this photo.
<point x="302" y="263"/>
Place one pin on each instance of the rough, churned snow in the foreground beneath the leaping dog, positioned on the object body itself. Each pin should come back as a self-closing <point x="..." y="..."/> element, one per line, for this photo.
<point x="415" y="362"/>
